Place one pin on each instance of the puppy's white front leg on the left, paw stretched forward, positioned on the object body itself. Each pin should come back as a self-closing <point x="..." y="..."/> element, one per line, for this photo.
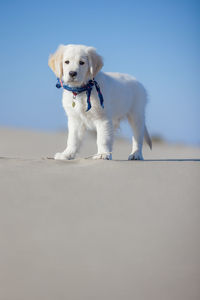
<point x="76" y="130"/>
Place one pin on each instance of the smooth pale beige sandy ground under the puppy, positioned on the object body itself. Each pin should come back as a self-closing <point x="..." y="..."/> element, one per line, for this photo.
<point x="97" y="230"/>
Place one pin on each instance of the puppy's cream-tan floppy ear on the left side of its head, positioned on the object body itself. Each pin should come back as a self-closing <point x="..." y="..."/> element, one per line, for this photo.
<point x="55" y="61"/>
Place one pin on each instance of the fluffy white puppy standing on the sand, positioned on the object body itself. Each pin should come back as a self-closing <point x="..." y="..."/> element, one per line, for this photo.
<point x="123" y="95"/>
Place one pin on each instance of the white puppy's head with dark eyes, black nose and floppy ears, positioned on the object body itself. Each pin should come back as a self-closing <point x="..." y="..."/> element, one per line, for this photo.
<point x="75" y="64"/>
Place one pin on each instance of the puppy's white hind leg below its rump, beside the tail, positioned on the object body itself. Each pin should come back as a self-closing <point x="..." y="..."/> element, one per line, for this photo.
<point x="137" y="124"/>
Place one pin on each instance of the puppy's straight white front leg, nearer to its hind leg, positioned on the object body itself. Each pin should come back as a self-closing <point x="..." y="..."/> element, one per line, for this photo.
<point x="104" y="139"/>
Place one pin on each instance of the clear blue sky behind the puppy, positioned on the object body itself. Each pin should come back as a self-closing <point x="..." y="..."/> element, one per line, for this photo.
<point x="155" y="41"/>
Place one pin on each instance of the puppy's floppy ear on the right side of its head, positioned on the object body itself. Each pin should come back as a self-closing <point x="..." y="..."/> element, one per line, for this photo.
<point x="95" y="62"/>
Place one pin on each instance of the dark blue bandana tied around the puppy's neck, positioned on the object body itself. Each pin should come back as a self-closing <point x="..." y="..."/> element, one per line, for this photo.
<point x="86" y="88"/>
